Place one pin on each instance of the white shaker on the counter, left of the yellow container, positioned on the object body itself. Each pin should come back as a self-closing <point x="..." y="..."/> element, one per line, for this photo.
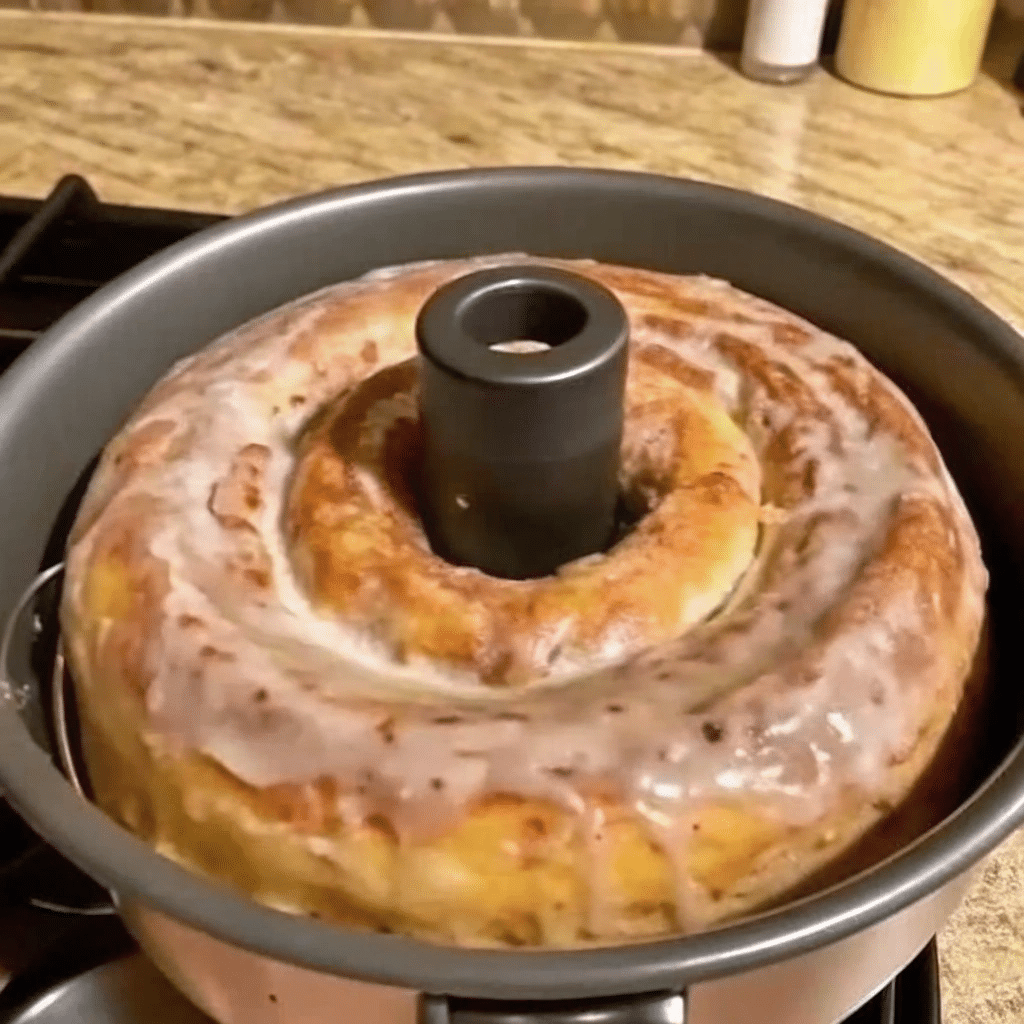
<point x="783" y="39"/>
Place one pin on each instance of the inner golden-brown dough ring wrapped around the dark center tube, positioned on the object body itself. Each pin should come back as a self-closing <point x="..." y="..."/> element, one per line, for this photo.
<point x="692" y="488"/>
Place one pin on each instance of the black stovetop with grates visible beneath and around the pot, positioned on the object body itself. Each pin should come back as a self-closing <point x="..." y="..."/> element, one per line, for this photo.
<point x="64" y="957"/>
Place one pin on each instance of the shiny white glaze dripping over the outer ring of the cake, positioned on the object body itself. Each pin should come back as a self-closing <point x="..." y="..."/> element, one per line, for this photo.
<point x="788" y="698"/>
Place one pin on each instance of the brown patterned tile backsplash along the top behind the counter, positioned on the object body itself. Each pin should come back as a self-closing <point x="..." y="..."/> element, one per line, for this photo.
<point x="714" y="24"/>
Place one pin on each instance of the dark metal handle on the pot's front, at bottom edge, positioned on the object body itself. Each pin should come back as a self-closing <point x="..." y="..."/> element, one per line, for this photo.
<point x="657" y="1008"/>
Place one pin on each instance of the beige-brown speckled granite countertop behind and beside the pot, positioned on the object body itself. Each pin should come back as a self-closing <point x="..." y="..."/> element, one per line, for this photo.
<point x="227" y="118"/>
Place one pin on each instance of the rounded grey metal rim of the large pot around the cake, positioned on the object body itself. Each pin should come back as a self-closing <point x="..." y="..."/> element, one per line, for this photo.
<point x="133" y="870"/>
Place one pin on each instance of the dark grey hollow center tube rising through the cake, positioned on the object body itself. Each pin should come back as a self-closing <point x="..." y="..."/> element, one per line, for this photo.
<point x="523" y="380"/>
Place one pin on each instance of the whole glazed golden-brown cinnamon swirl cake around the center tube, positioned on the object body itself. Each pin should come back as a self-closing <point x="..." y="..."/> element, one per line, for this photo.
<point x="282" y="687"/>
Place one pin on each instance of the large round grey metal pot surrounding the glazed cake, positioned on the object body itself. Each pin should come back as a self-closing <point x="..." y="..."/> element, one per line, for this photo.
<point x="813" y="962"/>
